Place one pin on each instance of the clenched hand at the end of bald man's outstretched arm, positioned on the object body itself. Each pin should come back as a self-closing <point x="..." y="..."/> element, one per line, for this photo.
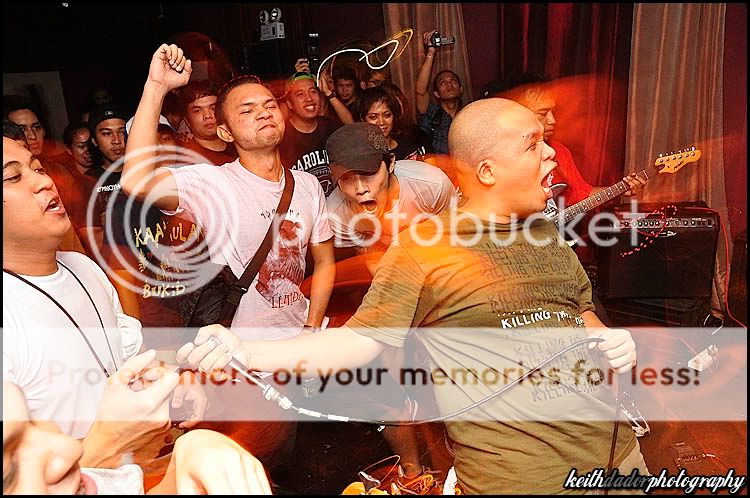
<point x="208" y="355"/>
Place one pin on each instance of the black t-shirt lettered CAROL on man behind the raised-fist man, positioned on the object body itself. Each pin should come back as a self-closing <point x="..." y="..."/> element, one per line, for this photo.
<point x="307" y="151"/>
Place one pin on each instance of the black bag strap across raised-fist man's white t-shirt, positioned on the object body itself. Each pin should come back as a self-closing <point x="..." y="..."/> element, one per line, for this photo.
<point x="241" y="286"/>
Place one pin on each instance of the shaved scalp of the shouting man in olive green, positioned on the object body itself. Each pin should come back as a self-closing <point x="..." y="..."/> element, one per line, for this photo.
<point x="476" y="132"/>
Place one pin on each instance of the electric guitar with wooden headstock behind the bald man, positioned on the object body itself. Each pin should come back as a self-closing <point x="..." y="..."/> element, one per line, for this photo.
<point x="666" y="163"/>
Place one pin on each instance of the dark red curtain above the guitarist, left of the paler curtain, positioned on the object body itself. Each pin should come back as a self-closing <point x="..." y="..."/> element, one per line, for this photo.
<point x="586" y="48"/>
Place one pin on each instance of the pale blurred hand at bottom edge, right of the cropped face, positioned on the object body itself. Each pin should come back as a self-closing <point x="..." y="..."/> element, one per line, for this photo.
<point x="206" y="462"/>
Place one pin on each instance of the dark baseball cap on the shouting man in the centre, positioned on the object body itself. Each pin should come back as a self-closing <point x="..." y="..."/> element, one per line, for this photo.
<point x="356" y="147"/>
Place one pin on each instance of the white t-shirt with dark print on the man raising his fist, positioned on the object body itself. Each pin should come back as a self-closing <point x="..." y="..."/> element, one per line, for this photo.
<point x="234" y="207"/>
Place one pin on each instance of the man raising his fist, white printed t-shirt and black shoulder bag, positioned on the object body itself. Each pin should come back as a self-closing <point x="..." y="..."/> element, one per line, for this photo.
<point x="234" y="204"/>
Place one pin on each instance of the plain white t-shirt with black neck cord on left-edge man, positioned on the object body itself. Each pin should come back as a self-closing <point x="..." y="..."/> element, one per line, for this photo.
<point x="44" y="353"/>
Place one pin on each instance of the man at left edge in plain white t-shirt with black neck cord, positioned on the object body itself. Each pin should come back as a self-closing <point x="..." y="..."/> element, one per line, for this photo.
<point x="65" y="337"/>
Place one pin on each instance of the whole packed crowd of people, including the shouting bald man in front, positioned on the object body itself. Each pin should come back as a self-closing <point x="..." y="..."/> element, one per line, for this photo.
<point x="97" y="295"/>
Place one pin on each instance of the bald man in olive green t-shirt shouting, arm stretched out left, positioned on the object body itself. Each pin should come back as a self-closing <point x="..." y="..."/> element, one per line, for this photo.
<point x="493" y="293"/>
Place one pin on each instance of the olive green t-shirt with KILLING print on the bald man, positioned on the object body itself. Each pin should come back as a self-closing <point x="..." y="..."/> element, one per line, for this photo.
<point x="487" y="312"/>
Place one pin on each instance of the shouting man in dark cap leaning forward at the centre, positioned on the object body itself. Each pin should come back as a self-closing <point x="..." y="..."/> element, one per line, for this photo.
<point x="377" y="196"/>
